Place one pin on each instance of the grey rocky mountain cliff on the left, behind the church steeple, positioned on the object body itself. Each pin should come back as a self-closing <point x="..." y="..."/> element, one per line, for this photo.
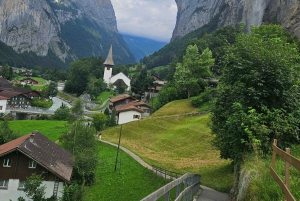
<point x="66" y="29"/>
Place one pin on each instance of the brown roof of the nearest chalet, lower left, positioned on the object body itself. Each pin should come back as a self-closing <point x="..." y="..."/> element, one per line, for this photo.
<point x="45" y="152"/>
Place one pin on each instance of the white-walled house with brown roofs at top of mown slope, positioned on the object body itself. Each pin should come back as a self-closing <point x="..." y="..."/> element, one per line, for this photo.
<point x="133" y="111"/>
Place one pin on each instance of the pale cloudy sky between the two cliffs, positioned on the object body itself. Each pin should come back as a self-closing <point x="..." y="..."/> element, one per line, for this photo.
<point x="153" y="19"/>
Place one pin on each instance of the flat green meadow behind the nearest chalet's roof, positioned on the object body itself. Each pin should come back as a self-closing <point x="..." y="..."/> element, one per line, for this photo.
<point x="51" y="129"/>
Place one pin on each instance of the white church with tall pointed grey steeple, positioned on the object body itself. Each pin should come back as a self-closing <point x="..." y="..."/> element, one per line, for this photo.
<point x="117" y="80"/>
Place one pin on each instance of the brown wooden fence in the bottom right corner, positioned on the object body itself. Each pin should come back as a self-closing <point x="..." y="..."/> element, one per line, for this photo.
<point x="289" y="160"/>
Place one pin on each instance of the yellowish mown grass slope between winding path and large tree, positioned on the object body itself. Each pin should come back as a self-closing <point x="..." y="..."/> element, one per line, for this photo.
<point x="178" y="143"/>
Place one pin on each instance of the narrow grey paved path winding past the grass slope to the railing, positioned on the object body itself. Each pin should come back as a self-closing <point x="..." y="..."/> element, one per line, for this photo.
<point x="204" y="194"/>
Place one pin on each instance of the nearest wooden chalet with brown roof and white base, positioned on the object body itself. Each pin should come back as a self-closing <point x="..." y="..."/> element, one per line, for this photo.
<point x="33" y="153"/>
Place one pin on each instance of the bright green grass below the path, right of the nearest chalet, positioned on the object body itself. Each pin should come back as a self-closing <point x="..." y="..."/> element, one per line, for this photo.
<point x="131" y="181"/>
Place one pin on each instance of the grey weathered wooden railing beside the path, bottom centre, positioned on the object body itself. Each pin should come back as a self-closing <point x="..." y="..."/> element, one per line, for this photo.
<point x="191" y="184"/>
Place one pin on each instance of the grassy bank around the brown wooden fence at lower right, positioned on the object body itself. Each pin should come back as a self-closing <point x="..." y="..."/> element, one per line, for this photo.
<point x="262" y="186"/>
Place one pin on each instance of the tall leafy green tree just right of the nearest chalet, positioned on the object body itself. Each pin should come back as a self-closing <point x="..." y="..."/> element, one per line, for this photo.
<point x="81" y="142"/>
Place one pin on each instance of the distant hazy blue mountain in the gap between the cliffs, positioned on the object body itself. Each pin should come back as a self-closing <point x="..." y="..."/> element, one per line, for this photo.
<point x="141" y="47"/>
